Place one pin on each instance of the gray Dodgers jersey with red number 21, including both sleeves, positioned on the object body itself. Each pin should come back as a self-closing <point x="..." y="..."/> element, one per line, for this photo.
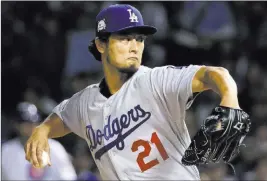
<point x="139" y="133"/>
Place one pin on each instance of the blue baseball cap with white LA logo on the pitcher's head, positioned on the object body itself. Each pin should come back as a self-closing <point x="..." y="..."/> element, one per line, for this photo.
<point x="121" y="18"/>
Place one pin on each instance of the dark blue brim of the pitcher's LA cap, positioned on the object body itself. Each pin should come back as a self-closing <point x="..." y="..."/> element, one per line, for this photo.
<point x="144" y="29"/>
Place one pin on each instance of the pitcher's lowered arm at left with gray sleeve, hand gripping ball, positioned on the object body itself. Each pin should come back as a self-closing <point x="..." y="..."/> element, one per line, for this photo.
<point x="65" y="118"/>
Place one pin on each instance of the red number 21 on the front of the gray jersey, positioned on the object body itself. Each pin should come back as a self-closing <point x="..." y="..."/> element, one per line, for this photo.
<point x="147" y="148"/>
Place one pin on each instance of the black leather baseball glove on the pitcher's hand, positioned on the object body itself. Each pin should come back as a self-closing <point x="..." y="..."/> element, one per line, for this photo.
<point x="220" y="137"/>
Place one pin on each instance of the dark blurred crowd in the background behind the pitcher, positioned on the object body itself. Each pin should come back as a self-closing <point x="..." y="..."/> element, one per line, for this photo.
<point x="35" y="55"/>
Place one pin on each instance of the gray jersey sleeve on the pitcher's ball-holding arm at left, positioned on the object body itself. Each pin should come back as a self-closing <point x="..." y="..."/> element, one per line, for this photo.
<point x="69" y="112"/>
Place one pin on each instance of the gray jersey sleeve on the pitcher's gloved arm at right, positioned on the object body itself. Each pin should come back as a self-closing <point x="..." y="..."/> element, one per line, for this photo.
<point x="173" y="85"/>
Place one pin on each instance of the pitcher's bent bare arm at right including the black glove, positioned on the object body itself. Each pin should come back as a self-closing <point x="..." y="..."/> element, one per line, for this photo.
<point x="224" y="130"/>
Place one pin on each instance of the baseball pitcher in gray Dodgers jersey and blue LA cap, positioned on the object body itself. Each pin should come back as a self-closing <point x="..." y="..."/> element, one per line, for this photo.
<point x="134" y="119"/>
